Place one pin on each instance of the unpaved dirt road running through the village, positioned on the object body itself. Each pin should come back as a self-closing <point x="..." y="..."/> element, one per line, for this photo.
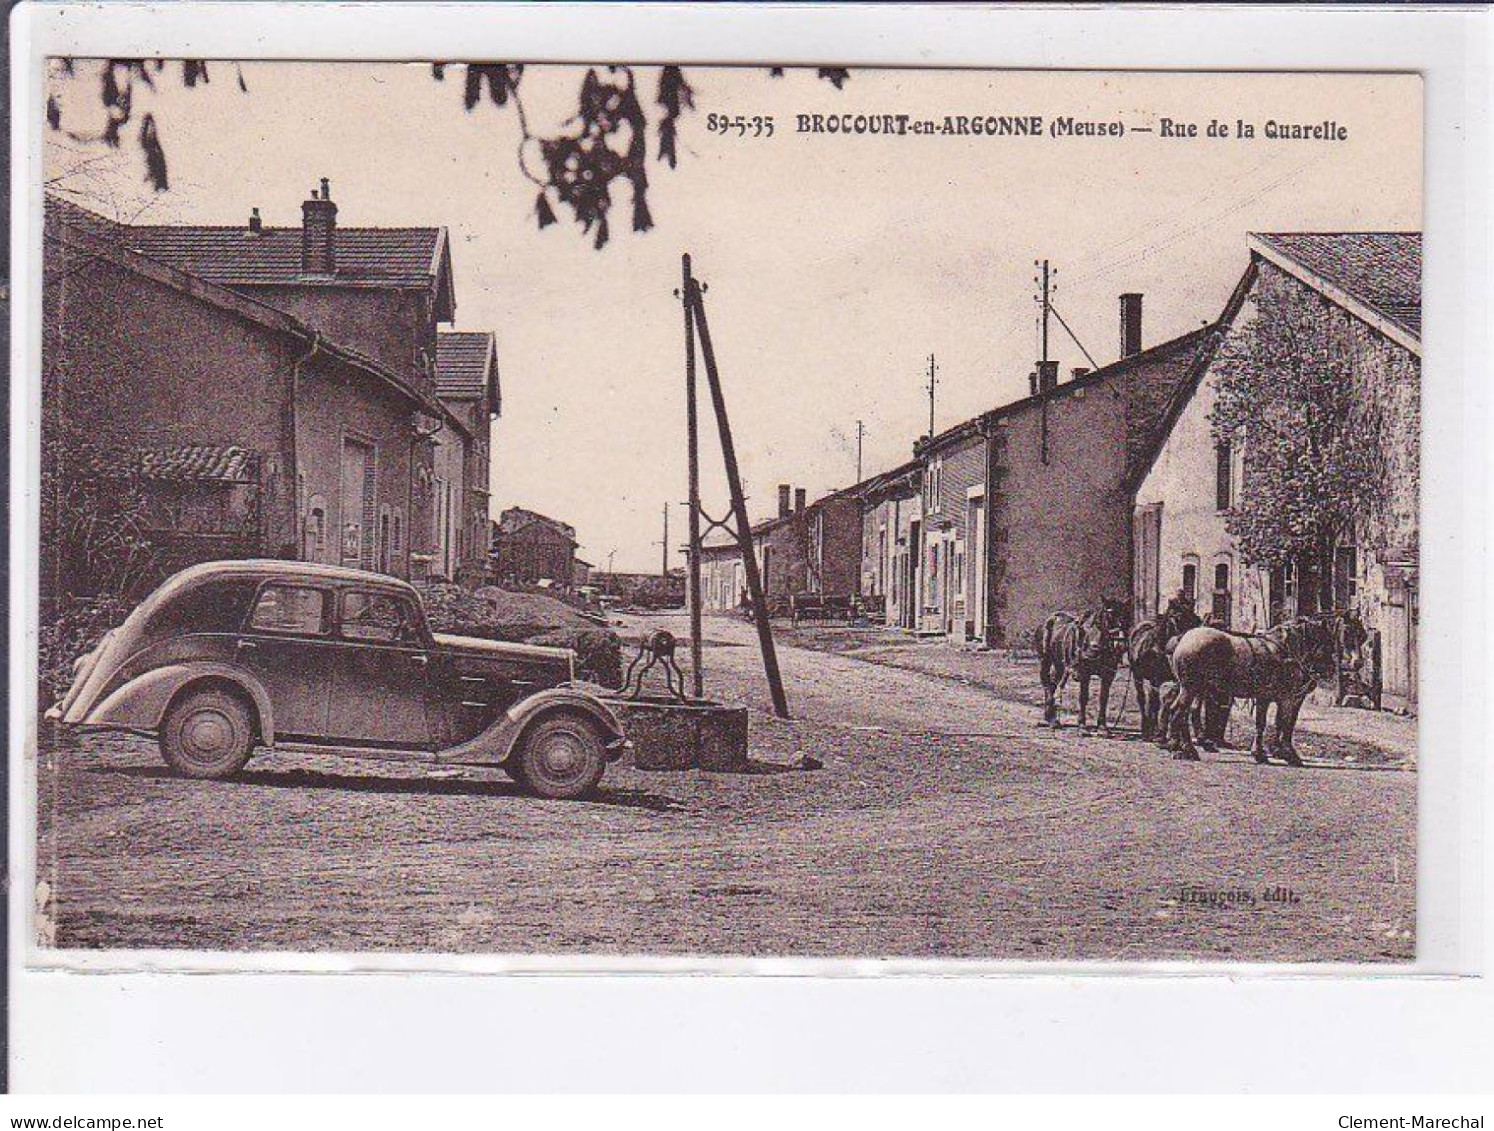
<point x="945" y="822"/>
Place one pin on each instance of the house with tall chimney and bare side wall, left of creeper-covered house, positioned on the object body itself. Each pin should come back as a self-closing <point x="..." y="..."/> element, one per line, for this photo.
<point x="1026" y="510"/>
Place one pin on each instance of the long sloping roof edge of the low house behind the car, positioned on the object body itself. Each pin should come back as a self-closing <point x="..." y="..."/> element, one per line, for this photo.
<point x="96" y="238"/>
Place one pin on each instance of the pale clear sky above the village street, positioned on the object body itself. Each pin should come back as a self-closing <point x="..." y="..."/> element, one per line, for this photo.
<point x="836" y="265"/>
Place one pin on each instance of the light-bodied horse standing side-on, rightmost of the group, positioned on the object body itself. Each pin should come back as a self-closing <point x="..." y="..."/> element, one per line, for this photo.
<point x="1275" y="667"/>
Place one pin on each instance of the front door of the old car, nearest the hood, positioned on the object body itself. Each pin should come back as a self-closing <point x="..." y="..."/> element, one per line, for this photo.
<point x="379" y="678"/>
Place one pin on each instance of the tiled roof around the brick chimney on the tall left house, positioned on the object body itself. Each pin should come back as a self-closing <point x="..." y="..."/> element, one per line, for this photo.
<point x="389" y="256"/>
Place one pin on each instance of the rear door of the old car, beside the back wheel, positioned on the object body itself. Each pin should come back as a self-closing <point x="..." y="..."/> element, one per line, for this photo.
<point x="288" y="646"/>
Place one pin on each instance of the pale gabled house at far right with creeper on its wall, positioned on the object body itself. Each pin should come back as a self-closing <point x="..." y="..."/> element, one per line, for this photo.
<point x="1184" y="489"/>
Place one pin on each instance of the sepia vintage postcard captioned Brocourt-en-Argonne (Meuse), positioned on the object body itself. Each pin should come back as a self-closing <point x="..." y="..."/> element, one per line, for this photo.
<point x="709" y="512"/>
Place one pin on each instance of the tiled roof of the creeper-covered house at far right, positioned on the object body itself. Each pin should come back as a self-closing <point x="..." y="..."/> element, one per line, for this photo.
<point x="1380" y="270"/>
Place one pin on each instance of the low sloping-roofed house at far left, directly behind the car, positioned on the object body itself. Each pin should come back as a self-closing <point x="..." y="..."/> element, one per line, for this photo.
<point x="240" y="428"/>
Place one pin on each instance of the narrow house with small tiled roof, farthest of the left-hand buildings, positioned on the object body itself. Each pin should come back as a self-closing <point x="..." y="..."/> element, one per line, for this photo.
<point x="468" y="389"/>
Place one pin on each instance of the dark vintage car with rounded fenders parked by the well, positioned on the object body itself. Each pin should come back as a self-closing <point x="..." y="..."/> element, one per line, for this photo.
<point x="231" y="657"/>
